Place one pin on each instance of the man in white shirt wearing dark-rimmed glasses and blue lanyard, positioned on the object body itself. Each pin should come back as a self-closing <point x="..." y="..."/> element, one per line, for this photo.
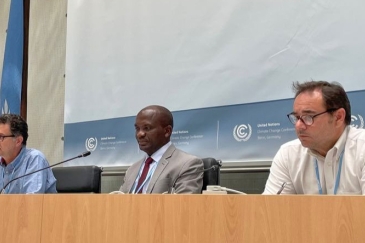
<point x="329" y="155"/>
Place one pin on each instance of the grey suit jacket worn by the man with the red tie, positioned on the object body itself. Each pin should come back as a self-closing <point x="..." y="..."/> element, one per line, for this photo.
<point x="170" y="169"/>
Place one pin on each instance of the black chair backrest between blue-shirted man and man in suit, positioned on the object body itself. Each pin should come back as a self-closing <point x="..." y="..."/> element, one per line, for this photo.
<point x="78" y="179"/>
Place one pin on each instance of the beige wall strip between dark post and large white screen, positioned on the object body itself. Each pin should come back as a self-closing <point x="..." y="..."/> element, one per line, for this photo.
<point x="46" y="87"/>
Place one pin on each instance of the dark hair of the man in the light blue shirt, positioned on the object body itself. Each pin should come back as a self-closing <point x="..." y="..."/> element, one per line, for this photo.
<point x="17" y="124"/>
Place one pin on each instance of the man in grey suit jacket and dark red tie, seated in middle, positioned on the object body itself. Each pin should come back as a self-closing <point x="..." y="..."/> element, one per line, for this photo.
<point x="165" y="167"/>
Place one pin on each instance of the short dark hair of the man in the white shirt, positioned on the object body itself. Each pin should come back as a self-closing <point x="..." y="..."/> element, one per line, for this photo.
<point x="334" y="96"/>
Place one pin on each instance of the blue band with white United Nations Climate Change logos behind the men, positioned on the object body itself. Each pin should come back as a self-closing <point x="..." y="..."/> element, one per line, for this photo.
<point x="238" y="133"/>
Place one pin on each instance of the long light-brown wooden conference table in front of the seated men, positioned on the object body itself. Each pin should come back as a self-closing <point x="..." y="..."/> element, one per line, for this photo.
<point x="108" y="218"/>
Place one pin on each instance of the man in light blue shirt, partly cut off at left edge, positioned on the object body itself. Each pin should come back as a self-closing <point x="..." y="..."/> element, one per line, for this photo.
<point x="16" y="160"/>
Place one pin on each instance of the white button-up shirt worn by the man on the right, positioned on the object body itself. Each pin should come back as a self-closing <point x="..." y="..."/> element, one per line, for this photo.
<point x="295" y="165"/>
